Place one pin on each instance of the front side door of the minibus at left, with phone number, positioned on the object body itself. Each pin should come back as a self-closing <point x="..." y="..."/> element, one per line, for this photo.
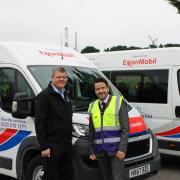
<point x="12" y="130"/>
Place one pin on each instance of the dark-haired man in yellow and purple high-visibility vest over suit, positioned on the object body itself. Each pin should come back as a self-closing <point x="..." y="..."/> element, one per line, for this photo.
<point x="108" y="131"/>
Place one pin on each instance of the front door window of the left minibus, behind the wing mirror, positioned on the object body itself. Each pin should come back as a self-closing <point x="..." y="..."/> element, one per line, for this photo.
<point x="11" y="82"/>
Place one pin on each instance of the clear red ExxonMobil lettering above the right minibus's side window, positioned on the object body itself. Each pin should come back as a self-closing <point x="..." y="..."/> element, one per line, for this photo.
<point x="141" y="61"/>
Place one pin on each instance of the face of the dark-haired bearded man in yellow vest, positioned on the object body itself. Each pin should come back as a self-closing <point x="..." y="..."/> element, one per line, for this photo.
<point x="101" y="90"/>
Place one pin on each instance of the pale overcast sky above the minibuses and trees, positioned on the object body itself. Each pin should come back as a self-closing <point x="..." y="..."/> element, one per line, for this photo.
<point x="99" y="23"/>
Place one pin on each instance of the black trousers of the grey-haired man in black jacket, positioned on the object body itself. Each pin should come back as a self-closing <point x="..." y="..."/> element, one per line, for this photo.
<point x="59" y="165"/>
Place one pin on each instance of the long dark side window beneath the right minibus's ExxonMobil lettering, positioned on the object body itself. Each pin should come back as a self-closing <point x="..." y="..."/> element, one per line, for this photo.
<point x="146" y="86"/>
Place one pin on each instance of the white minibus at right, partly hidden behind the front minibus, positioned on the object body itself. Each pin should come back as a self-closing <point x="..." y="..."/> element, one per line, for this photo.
<point x="150" y="80"/>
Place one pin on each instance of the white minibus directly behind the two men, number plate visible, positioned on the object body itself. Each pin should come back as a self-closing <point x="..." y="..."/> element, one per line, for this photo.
<point x="25" y="70"/>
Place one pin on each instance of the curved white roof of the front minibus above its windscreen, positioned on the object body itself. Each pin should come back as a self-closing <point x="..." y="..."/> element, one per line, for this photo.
<point x="28" y="53"/>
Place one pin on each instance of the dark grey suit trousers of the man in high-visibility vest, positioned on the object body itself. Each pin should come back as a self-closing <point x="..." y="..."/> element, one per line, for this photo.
<point x="110" y="167"/>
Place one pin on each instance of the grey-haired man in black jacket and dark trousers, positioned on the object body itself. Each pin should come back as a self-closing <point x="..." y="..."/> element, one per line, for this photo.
<point x="53" y="123"/>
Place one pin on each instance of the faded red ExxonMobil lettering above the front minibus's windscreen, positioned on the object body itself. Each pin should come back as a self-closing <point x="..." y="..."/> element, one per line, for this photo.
<point x="55" y="53"/>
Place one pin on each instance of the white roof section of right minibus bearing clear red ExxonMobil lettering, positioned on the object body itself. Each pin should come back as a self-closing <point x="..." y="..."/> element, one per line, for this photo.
<point x="136" y="58"/>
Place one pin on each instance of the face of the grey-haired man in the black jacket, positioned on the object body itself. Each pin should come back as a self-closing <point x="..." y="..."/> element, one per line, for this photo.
<point x="59" y="80"/>
